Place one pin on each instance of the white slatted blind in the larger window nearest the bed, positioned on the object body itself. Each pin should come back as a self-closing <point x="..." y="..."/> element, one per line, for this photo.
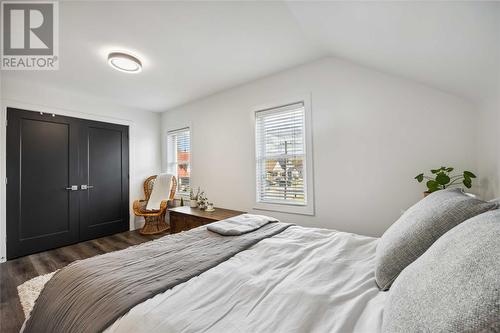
<point x="281" y="155"/>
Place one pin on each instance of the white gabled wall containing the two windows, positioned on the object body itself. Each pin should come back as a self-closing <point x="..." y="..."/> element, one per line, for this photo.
<point x="372" y="133"/>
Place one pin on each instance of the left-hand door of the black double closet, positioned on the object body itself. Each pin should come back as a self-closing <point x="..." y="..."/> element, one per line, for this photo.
<point x="42" y="165"/>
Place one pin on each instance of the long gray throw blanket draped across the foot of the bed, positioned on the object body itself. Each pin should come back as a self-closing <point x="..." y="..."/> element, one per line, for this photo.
<point x="91" y="294"/>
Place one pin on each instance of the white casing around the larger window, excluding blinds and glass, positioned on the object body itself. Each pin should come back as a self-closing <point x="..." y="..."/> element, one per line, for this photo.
<point x="292" y="208"/>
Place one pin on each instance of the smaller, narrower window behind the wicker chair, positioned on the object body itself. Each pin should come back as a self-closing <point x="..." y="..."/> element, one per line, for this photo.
<point x="179" y="158"/>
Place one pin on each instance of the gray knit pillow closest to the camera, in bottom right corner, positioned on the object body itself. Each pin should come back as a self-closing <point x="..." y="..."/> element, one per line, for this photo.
<point x="454" y="286"/>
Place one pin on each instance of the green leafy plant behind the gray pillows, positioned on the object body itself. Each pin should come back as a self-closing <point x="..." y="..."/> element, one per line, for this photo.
<point x="442" y="178"/>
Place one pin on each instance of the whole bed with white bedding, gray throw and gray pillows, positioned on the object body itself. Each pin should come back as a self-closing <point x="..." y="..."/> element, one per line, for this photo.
<point x="255" y="274"/>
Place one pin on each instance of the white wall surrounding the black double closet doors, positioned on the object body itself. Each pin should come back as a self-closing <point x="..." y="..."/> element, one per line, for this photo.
<point x="144" y="131"/>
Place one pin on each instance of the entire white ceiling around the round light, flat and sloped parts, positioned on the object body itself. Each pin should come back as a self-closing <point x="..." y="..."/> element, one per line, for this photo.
<point x="193" y="49"/>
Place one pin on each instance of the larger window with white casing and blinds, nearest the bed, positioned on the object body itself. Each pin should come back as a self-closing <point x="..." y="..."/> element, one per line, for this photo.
<point x="283" y="151"/>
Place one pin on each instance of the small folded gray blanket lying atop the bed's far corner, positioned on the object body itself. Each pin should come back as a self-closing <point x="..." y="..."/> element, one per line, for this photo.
<point x="240" y="224"/>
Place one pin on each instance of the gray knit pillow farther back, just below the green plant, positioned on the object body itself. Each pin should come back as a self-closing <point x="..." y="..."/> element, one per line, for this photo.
<point x="419" y="227"/>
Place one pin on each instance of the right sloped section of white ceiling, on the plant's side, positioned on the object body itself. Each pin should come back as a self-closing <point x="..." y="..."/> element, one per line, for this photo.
<point x="453" y="46"/>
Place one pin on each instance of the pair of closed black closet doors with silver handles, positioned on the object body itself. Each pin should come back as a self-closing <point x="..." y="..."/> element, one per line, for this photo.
<point x="67" y="181"/>
